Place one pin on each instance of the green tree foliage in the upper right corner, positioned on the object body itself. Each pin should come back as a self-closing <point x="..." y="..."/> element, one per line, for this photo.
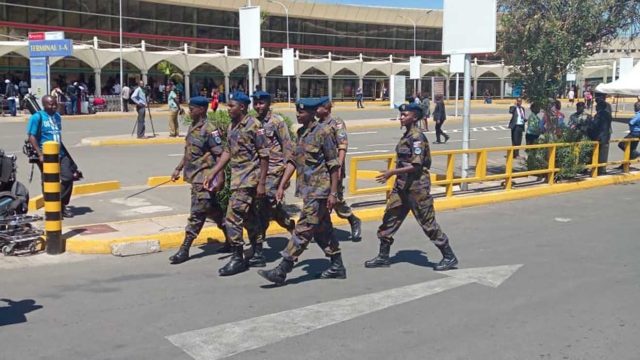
<point x="544" y="39"/>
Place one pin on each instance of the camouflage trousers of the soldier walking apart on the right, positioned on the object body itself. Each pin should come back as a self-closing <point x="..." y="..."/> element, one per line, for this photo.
<point x="420" y="203"/>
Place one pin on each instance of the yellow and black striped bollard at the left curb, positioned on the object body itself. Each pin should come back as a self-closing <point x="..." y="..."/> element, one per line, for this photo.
<point x="51" y="194"/>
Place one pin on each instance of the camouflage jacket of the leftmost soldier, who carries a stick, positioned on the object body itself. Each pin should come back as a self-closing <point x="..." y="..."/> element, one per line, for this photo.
<point x="203" y="147"/>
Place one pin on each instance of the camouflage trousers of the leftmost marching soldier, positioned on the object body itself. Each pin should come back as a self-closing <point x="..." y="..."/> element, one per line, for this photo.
<point x="203" y="204"/>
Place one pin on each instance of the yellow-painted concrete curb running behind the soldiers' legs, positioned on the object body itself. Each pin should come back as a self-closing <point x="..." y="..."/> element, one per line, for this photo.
<point x="212" y="234"/>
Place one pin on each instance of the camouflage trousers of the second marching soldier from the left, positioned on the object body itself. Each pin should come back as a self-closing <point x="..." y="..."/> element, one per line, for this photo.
<point x="241" y="214"/>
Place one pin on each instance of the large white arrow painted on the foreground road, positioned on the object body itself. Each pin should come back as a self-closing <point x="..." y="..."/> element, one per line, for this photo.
<point x="226" y="340"/>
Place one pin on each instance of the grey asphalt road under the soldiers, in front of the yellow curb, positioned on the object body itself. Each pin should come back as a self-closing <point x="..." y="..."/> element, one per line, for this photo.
<point x="574" y="297"/>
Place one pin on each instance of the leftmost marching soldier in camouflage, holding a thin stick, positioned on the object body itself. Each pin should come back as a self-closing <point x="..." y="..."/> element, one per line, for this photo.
<point x="202" y="150"/>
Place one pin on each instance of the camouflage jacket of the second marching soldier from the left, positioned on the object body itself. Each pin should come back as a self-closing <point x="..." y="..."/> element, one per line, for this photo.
<point x="247" y="144"/>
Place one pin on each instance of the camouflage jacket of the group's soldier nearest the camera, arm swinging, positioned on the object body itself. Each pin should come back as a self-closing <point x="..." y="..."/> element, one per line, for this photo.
<point x="315" y="155"/>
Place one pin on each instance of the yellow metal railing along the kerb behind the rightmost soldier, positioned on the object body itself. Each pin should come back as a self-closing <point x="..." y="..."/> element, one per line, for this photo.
<point x="481" y="157"/>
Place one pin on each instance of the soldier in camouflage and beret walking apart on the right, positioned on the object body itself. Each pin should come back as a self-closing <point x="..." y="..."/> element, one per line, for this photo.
<point x="411" y="192"/>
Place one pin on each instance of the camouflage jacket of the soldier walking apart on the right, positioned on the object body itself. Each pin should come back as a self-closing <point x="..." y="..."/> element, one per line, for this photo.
<point x="413" y="149"/>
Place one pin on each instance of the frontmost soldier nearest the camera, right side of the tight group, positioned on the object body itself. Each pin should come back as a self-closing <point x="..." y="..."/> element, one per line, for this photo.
<point x="316" y="164"/>
